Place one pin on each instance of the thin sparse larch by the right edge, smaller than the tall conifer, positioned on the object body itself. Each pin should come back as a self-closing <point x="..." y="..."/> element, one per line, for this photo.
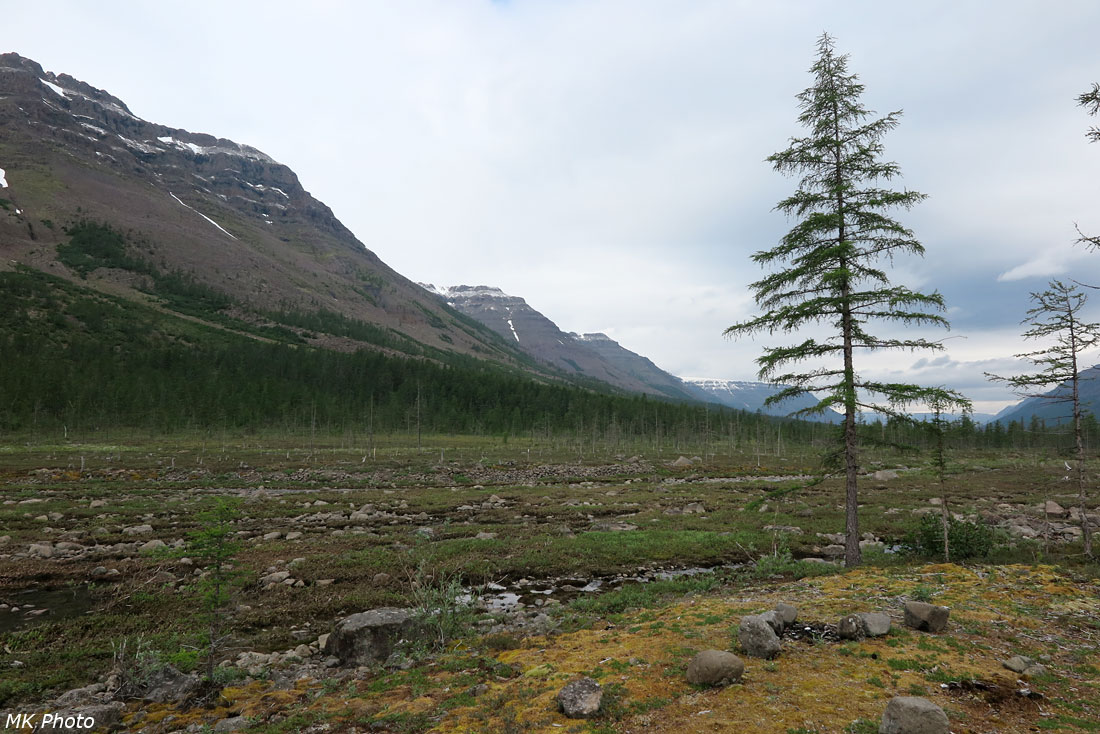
<point x="1057" y="319"/>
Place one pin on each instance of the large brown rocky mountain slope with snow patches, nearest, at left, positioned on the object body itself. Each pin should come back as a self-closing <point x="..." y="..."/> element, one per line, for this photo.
<point x="191" y="211"/>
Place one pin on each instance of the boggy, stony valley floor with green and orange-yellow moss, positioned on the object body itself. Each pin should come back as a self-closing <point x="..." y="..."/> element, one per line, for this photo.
<point x="530" y="567"/>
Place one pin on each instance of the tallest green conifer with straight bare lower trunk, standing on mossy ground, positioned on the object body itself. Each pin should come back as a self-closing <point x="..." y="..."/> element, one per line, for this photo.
<point x="829" y="268"/>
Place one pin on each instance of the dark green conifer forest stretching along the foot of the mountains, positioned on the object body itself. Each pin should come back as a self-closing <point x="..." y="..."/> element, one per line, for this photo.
<point x="78" y="360"/>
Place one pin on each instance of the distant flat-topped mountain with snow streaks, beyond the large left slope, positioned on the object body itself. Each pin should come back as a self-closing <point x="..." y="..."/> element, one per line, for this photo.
<point x="591" y="356"/>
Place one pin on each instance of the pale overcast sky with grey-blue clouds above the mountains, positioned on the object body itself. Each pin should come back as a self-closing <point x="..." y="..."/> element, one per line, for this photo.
<point x="606" y="160"/>
